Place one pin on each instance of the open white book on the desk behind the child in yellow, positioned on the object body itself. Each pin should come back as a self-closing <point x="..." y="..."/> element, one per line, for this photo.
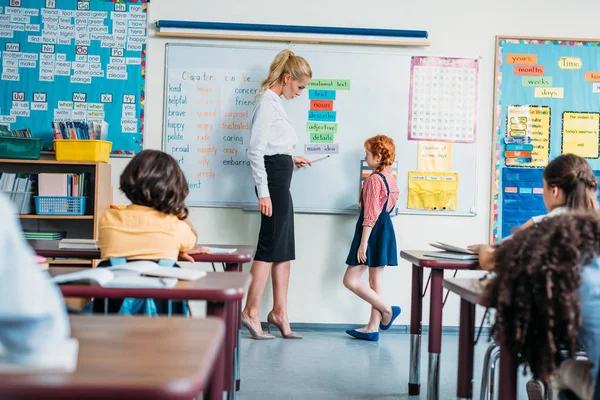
<point x="135" y="274"/>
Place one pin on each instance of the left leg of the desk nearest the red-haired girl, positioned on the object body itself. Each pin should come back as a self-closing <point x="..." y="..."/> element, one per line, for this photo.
<point x="416" y="315"/>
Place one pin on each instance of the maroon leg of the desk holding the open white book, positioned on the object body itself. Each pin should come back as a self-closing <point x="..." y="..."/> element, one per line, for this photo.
<point x="225" y="311"/>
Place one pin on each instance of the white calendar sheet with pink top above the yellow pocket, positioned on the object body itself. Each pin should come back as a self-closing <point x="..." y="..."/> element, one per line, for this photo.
<point x="443" y="99"/>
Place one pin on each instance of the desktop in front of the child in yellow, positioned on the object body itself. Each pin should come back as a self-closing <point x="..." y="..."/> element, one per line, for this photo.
<point x="49" y="248"/>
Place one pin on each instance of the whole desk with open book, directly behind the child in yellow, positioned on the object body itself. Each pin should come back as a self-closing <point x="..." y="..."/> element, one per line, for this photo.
<point x="223" y="292"/>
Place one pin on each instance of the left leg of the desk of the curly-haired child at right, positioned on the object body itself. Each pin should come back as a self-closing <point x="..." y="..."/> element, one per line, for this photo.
<point x="464" y="387"/>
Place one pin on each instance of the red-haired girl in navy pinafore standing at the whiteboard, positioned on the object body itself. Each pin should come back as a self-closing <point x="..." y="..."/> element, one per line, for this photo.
<point x="374" y="243"/>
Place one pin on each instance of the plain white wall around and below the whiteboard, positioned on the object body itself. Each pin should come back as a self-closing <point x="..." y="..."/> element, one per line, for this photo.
<point x="459" y="28"/>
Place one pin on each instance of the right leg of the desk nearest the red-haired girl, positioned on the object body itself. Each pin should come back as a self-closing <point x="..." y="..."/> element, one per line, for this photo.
<point x="435" y="334"/>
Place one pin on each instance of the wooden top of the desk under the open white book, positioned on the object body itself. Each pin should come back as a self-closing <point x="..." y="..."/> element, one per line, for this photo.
<point x="215" y="286"/>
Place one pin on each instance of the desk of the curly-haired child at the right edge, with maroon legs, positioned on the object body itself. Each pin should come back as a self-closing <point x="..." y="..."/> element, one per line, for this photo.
<point x="471" y="293"/>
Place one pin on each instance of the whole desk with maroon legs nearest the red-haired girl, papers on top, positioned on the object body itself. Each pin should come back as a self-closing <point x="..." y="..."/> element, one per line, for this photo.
<point x="437" y="265"/>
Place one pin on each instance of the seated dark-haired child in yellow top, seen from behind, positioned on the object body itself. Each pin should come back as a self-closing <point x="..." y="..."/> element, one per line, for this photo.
<point x="155" y="227"/>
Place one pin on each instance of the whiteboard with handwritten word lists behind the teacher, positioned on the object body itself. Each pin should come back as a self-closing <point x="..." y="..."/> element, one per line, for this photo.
<point x="216" y="84"/>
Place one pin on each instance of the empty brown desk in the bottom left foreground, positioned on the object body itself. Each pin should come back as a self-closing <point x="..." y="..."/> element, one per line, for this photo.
<point x="132" y="358"/>
